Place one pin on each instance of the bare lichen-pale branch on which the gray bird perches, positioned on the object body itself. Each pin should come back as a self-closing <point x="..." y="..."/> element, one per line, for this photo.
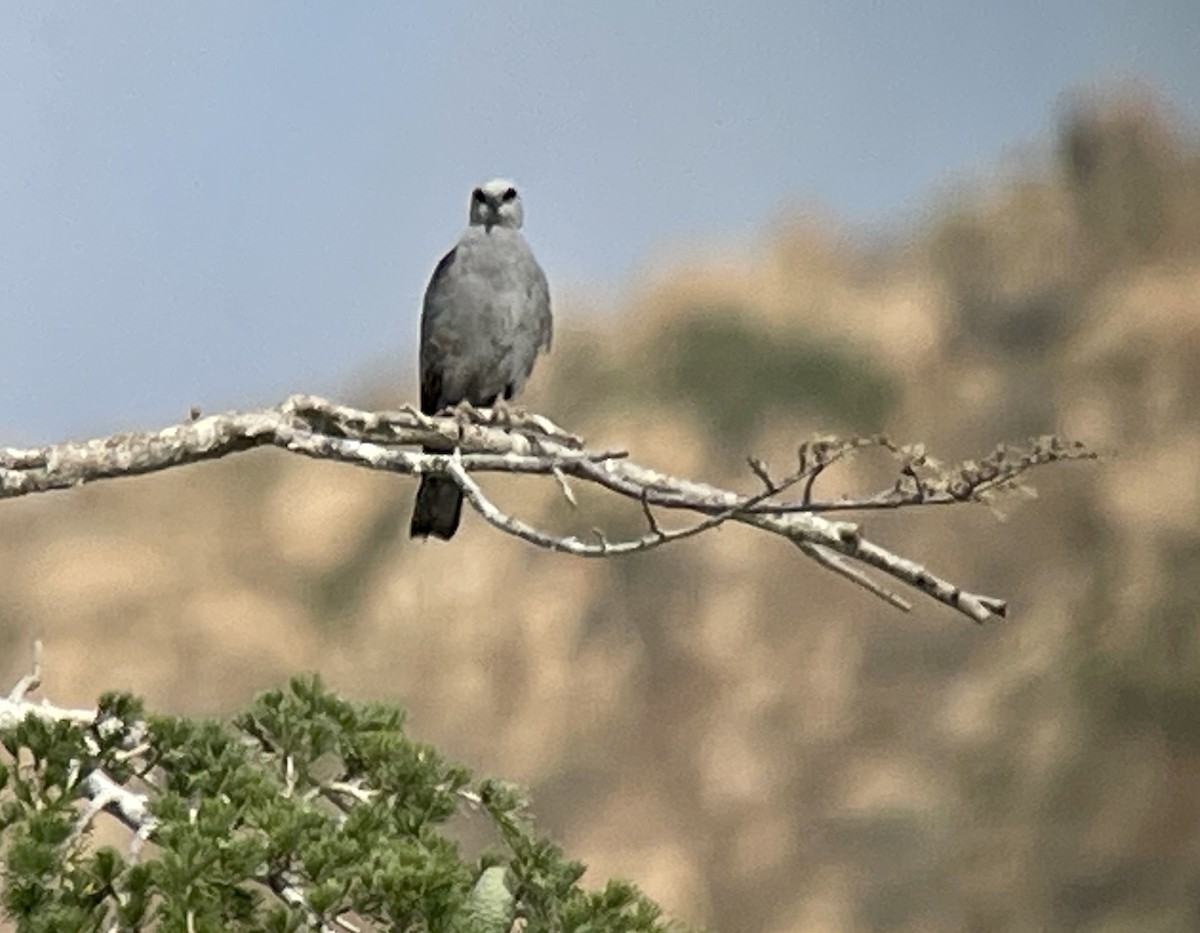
<point x="467" y="444"/>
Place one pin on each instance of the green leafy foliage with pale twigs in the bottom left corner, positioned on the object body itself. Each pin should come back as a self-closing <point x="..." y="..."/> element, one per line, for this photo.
<point x="305" y="794"/>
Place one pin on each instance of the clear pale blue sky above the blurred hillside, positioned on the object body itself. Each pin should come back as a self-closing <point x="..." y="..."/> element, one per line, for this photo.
<point x="219" y="203"/>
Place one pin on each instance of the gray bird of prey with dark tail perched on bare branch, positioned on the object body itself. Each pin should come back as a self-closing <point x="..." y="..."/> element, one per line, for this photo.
<point x="485" y="320"/>
